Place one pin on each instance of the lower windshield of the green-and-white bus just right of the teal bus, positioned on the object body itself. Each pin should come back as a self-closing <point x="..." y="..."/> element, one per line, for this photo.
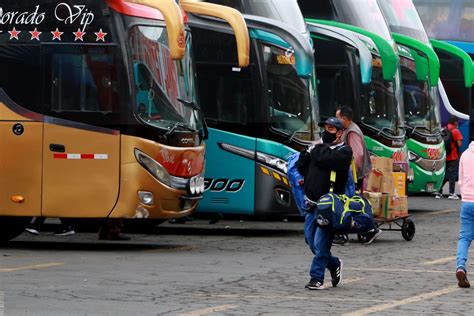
<point x="382" y="109"/>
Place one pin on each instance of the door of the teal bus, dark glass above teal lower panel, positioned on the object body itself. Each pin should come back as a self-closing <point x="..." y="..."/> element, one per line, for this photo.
<point x="228" y="96"/>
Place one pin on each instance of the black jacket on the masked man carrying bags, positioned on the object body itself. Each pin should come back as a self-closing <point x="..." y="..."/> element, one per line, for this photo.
<point x="316" y="167"/>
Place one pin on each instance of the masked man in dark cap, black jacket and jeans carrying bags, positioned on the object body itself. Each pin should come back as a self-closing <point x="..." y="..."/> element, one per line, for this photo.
<point x="316" y="166"/>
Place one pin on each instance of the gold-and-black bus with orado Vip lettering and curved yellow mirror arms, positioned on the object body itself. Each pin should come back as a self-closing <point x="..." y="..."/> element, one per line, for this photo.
<point x="98" y="110"/>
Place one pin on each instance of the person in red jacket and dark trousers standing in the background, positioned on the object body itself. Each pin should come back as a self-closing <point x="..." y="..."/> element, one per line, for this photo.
<point x="452" y="158"/>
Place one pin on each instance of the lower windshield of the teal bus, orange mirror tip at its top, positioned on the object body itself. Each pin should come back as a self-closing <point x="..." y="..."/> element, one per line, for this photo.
<point x="289" y="99"/>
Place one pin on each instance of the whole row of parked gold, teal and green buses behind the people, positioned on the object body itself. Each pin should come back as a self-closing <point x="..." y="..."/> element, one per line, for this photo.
<point x="157" y="109"/>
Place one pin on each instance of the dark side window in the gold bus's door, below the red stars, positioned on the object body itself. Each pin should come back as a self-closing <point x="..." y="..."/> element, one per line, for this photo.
<point x="81" y="80"/>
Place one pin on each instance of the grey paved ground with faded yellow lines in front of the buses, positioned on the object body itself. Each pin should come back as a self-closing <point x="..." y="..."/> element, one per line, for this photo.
<point x="235" y="267"/>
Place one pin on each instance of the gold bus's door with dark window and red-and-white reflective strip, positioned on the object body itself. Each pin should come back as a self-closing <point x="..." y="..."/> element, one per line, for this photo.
<point x="80" y="161"/>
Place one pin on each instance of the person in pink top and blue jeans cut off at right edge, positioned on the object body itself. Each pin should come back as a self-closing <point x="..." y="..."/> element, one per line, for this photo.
<point x="466" y="231"/>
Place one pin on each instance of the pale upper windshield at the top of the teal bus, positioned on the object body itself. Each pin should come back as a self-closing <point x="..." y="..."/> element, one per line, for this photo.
<point x="286" y="11"/>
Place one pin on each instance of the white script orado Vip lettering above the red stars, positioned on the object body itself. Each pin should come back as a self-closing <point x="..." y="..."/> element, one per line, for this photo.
<point x="63" y="12"/>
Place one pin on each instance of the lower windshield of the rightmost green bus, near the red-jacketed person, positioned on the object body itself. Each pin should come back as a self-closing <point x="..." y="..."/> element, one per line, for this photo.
<point x="421" y="111"/>
